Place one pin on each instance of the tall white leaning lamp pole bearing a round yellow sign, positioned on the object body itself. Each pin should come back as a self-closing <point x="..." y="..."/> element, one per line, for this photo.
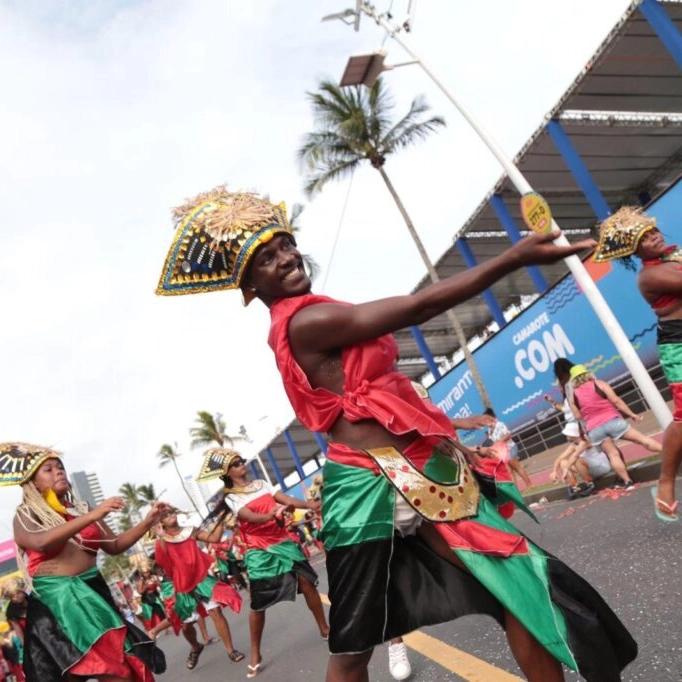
<point x="594" y="296"/>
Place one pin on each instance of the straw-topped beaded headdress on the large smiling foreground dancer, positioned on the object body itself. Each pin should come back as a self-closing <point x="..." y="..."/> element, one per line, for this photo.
<point x="217" y="234"/>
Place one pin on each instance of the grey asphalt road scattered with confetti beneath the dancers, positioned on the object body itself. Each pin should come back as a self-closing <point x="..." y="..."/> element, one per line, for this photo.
<point x="613" y="540"/>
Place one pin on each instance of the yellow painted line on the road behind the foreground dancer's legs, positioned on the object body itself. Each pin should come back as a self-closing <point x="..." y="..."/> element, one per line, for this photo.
<point x="455" y="660"/>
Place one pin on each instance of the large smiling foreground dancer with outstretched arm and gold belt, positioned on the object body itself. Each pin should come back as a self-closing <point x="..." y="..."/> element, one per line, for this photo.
<point x="401" y="505"/>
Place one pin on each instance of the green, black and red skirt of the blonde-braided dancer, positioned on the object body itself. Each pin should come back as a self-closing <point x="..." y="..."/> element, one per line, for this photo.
<point x="74" y="627"/>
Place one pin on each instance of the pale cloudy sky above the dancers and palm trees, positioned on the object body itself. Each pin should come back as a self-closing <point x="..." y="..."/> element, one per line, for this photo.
<point x="114" y="112"/>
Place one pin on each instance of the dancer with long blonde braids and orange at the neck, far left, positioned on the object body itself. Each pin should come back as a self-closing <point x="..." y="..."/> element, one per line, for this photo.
<point x="73" y="629"/>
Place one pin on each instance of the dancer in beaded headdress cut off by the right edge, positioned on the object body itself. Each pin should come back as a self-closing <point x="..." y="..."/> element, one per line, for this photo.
<point x="631" y="232"/>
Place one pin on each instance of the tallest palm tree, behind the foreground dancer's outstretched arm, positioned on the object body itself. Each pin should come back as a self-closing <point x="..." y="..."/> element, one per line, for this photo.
<point x="354" y="126"/>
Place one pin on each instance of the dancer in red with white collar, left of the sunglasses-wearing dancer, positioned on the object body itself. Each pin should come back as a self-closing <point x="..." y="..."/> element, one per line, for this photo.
<point x="187" y="566"/>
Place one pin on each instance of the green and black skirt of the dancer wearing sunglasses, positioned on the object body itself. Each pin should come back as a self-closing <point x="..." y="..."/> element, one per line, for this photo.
<point x="273" y="573"/>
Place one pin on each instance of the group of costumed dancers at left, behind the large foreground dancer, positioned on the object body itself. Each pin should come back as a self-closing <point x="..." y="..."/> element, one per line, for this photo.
<point x="70" y="626"/>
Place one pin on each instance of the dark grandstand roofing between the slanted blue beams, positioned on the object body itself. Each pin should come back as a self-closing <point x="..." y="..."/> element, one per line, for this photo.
<point x="623" y="115"/>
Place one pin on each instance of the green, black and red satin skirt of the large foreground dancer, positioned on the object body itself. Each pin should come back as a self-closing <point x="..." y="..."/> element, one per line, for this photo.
<point x="383" y="585"/>
